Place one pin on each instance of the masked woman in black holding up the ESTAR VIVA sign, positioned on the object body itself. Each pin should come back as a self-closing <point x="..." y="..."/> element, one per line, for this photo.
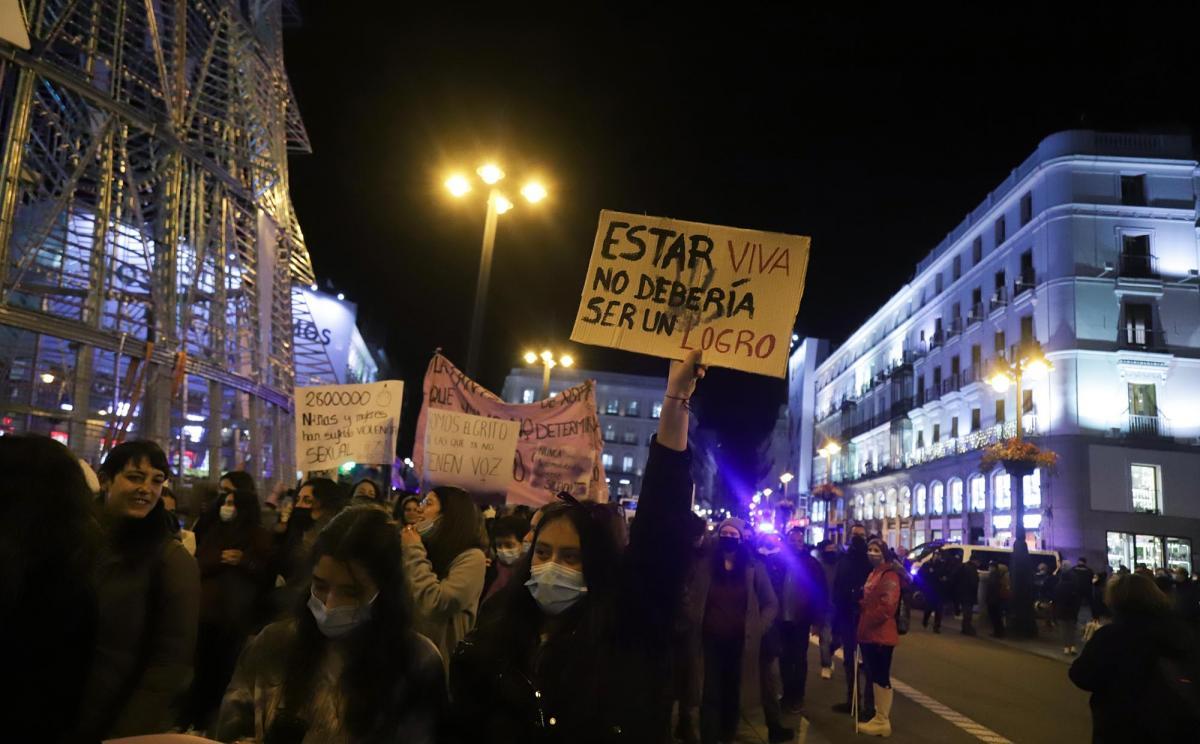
<point x="575" y="649"/>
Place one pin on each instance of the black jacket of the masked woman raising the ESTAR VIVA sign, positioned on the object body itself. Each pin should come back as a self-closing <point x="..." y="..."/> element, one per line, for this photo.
<point x="605" y="676"/>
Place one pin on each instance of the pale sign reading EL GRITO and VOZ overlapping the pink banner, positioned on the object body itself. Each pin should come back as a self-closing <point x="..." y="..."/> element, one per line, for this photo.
<point x="470" y="452"/>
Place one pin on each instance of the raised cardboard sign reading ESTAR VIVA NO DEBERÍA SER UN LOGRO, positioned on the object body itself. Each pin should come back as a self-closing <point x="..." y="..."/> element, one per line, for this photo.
<point x="665" y="287"/>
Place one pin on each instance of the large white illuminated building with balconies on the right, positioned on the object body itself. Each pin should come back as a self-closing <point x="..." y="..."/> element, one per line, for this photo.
<point x="1088" y="251"/>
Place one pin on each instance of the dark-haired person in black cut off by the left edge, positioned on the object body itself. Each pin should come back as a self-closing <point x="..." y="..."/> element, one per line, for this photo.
<point x="49" y="544"/>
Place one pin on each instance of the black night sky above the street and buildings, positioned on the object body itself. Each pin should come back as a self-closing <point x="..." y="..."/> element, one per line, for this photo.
<point x="873" y="134"/>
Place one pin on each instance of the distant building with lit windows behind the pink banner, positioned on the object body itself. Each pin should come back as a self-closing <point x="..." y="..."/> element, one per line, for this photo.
<point x="628" y="405"/>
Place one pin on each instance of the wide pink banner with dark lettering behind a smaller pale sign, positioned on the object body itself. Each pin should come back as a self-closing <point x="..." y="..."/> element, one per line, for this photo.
<point x="559" y="440"/>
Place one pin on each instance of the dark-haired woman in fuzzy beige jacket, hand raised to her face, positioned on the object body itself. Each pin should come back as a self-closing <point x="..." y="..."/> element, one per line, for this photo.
<point x="446" y="567"/>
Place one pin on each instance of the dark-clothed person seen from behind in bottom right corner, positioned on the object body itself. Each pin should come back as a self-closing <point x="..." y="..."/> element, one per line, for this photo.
<point x="1143" y="670"/>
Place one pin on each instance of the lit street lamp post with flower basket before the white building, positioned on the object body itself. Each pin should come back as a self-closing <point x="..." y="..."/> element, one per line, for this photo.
<point x="1033" y="363"/>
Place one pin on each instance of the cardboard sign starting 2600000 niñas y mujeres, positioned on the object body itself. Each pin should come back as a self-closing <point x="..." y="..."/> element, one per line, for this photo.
<point x="340" y="424"/>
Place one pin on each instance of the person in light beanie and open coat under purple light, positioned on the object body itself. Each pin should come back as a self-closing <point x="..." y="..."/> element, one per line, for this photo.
<point x="730" y="607"/>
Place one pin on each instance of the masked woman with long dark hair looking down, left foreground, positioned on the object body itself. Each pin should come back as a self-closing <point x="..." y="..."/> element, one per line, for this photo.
<point x="347" y="667"/>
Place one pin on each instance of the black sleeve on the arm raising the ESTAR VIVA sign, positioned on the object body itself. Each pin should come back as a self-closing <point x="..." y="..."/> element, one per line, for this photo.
<point x="656" y="561"/>
